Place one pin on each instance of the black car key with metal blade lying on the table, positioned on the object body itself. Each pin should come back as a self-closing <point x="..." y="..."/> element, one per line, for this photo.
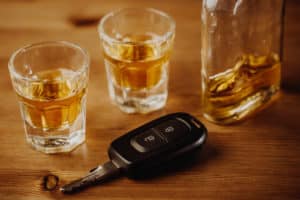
<point x="149" y="146"/>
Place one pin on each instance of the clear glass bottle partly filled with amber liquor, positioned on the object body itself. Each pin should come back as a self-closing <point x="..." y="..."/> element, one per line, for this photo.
<point x="241" y="57"/>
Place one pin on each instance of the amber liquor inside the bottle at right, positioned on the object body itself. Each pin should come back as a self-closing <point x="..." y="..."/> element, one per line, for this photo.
<point x="233" y="95"/>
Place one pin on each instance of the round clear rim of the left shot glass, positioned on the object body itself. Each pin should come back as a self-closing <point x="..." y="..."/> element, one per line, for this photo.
<point x="17" y="52"/>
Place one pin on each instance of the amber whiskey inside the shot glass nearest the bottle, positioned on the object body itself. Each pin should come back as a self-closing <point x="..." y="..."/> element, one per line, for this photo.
<point x="136" y="65"/>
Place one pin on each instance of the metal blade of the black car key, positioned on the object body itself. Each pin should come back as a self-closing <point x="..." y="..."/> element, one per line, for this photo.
<point x="97" y="175"/>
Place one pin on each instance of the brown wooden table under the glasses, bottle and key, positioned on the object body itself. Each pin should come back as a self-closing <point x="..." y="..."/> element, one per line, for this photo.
<point x="257" y="159"/>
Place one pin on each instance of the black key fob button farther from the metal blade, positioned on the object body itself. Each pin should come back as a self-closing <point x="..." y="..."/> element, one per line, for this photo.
<point x="173" y="129"/>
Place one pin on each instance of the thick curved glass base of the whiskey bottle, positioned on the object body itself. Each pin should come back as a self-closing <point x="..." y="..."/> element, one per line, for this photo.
<point x="247" y="107"/>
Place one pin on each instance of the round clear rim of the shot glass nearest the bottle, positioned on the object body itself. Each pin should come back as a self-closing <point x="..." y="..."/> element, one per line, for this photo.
<point x="165" y="36"/>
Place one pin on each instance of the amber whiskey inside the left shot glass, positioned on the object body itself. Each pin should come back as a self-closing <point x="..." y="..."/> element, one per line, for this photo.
<point x="49" y="102"/>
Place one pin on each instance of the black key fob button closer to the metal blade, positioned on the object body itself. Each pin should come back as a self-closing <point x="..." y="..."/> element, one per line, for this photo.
<point x="147" y="141"/>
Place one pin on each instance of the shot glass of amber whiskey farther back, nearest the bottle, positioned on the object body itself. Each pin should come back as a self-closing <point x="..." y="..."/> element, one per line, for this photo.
<point x="137" y="44"/>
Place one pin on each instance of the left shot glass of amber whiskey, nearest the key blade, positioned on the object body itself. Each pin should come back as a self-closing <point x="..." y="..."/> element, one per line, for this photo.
<point x="50" y="80"/>
